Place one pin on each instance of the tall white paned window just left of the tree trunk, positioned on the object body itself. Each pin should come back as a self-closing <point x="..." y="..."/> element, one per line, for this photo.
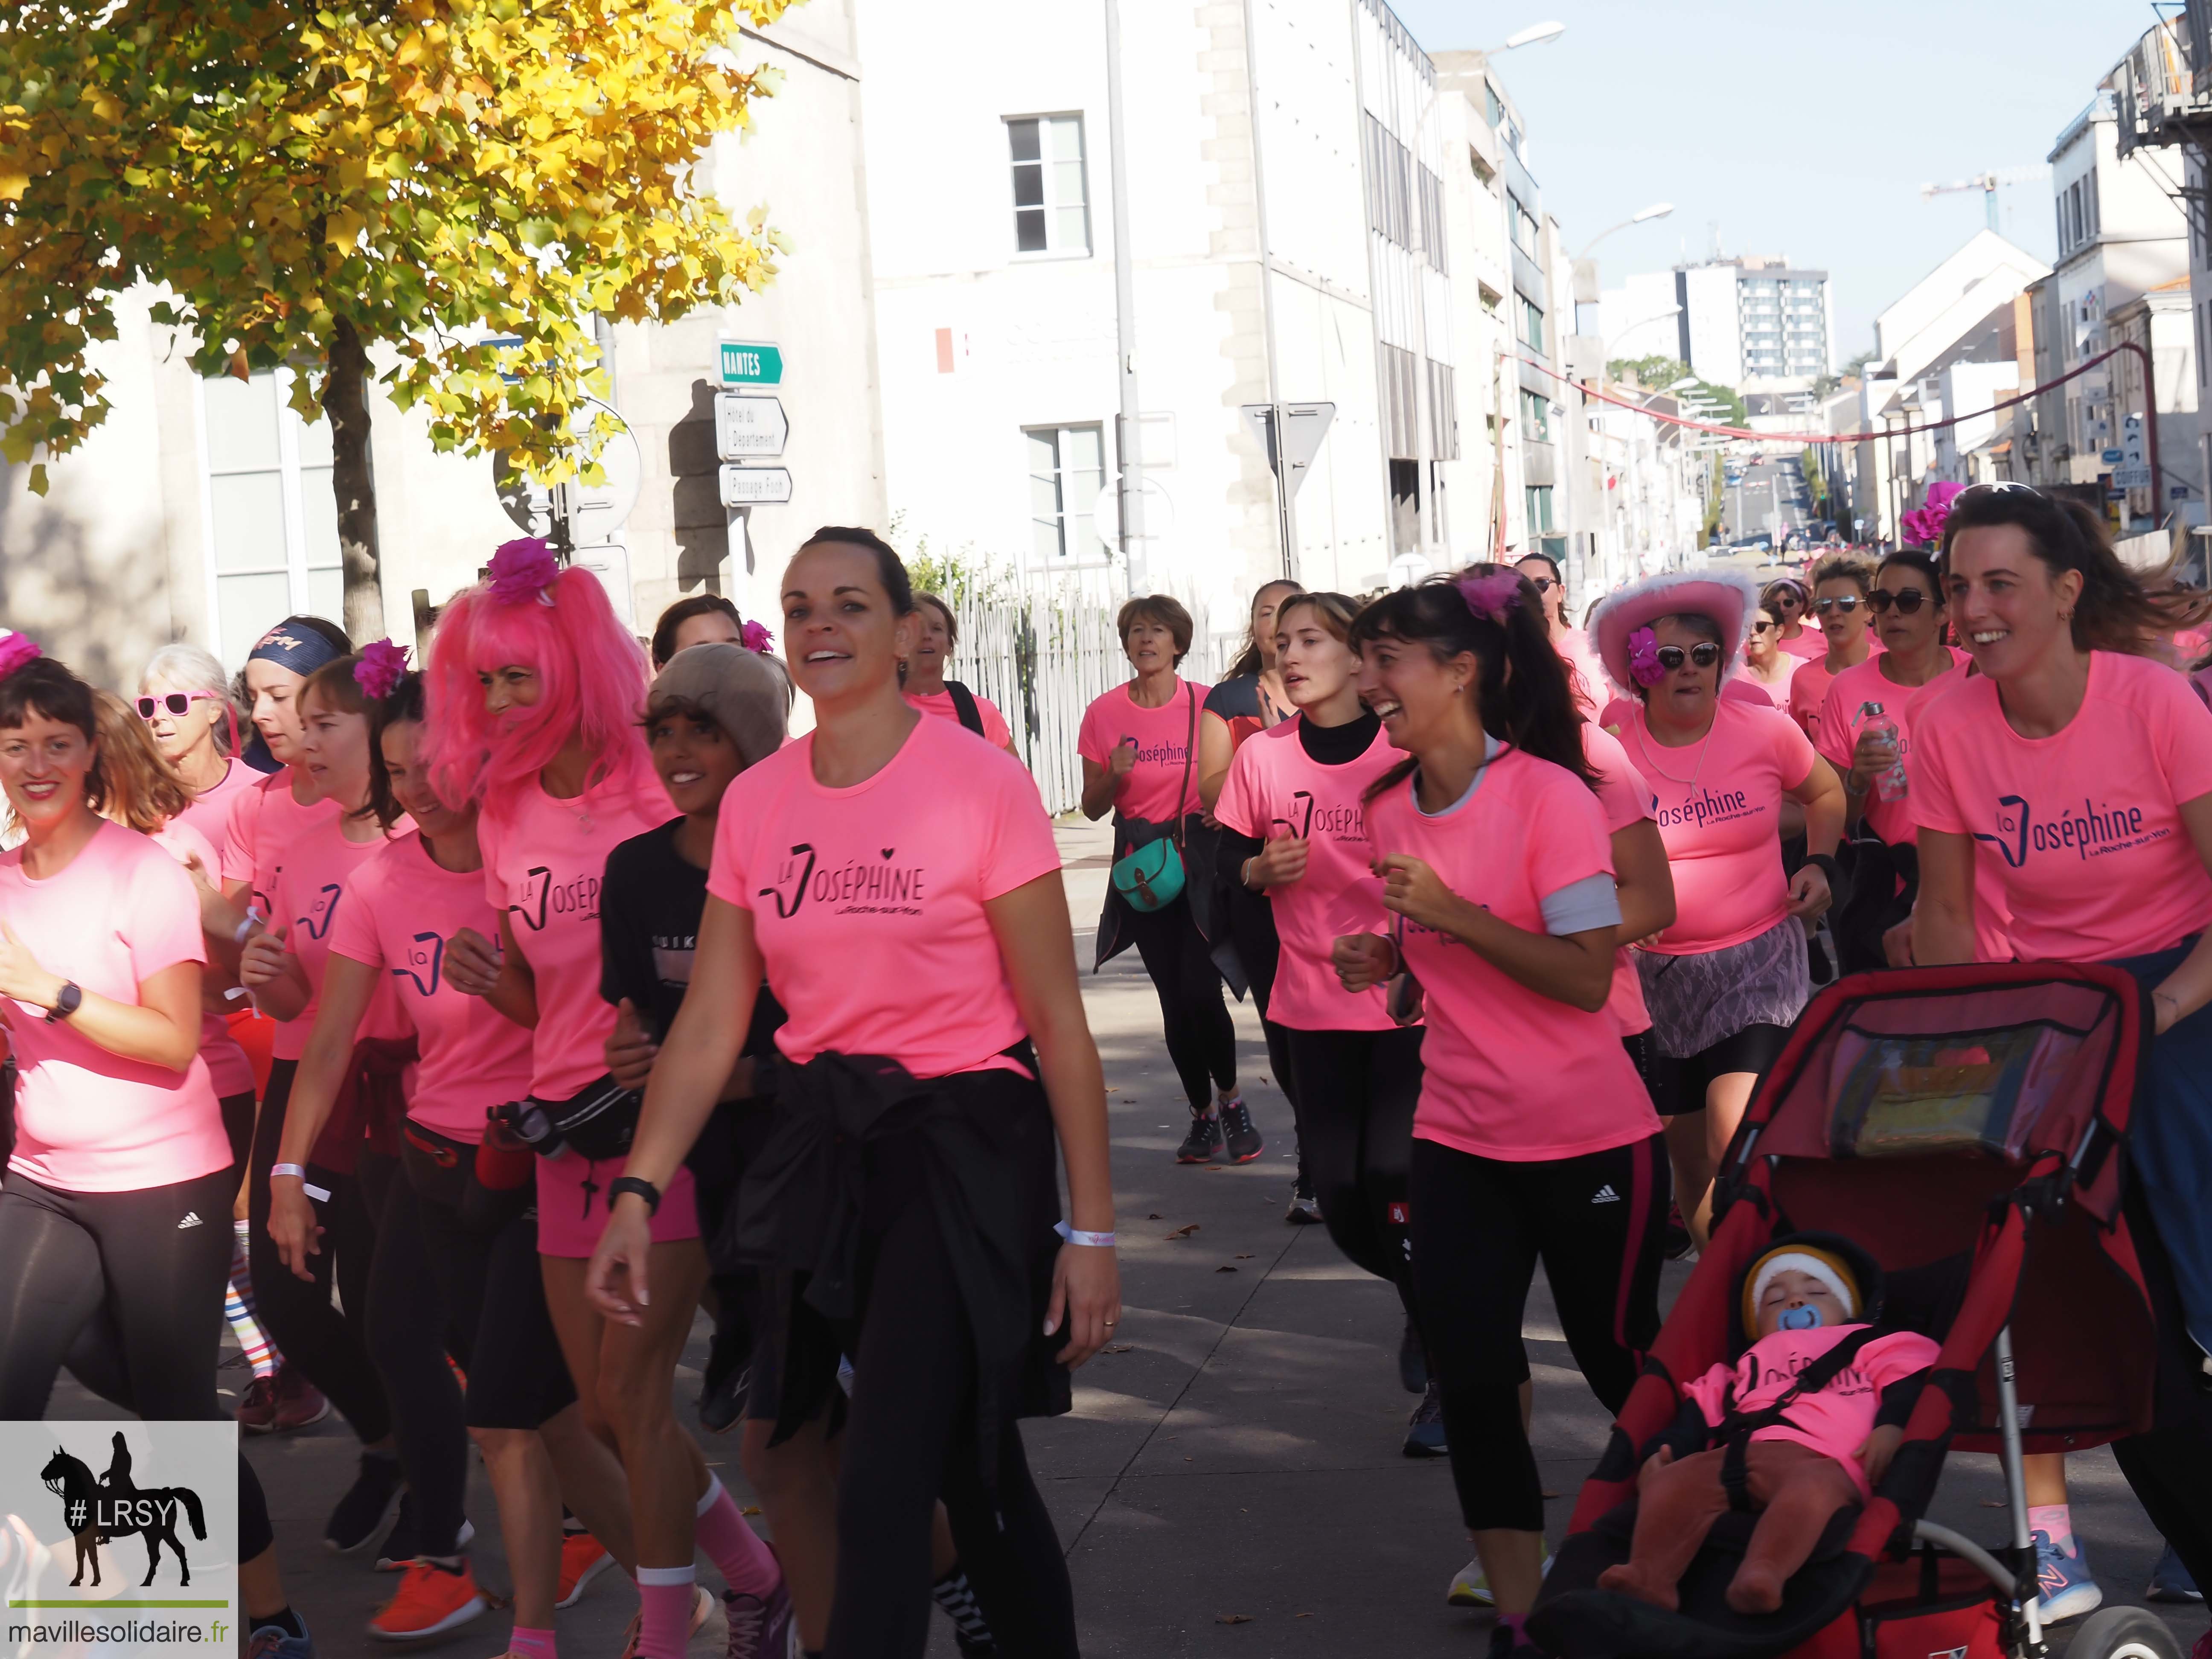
<point x="269" y="512"/>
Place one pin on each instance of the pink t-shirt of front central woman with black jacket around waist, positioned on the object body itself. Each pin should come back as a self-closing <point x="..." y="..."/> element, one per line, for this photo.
<point x="868" y="901"/>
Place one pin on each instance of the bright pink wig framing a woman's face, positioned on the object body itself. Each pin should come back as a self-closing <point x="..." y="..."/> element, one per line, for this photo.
<point x="592" y="680"/>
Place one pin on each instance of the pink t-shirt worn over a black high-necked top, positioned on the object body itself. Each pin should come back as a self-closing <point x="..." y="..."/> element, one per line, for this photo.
<point x="1275" y="789"/>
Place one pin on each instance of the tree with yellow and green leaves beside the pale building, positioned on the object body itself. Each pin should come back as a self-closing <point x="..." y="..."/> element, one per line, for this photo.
<point x="468" y="182"/>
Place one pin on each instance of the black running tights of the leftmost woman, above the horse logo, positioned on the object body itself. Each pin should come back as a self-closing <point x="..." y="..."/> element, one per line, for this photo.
<point x="154" y="1262"/>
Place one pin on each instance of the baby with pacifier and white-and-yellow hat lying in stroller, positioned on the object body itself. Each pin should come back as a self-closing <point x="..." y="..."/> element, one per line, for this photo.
<point x="1799" y="1428"/>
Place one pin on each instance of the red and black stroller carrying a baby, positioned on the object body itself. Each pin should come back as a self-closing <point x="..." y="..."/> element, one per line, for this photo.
<point x="1965" y="1127"/>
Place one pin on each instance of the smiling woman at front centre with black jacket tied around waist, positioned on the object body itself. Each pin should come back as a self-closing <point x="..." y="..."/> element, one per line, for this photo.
<point x="919" y="943"/>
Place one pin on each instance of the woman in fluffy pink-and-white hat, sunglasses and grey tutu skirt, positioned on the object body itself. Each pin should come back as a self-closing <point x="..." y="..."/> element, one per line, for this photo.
<point x="1729" y="979"/>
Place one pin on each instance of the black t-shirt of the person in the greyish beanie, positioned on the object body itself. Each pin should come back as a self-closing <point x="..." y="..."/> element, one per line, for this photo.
<point x="649" y="928"/>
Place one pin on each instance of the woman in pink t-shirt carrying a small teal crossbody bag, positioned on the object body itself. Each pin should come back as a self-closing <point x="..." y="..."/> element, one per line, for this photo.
<point x="1140" y="764"/>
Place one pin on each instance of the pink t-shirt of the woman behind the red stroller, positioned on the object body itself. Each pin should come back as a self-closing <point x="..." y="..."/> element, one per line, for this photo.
<point x="2085" y="826"/>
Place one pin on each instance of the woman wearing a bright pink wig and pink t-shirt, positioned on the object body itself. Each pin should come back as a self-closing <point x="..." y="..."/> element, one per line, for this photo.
<point x="536" y="702"/>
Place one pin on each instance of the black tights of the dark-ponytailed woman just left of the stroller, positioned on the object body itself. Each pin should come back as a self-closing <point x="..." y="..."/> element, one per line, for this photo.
<point x="1481" y="1227"/>
